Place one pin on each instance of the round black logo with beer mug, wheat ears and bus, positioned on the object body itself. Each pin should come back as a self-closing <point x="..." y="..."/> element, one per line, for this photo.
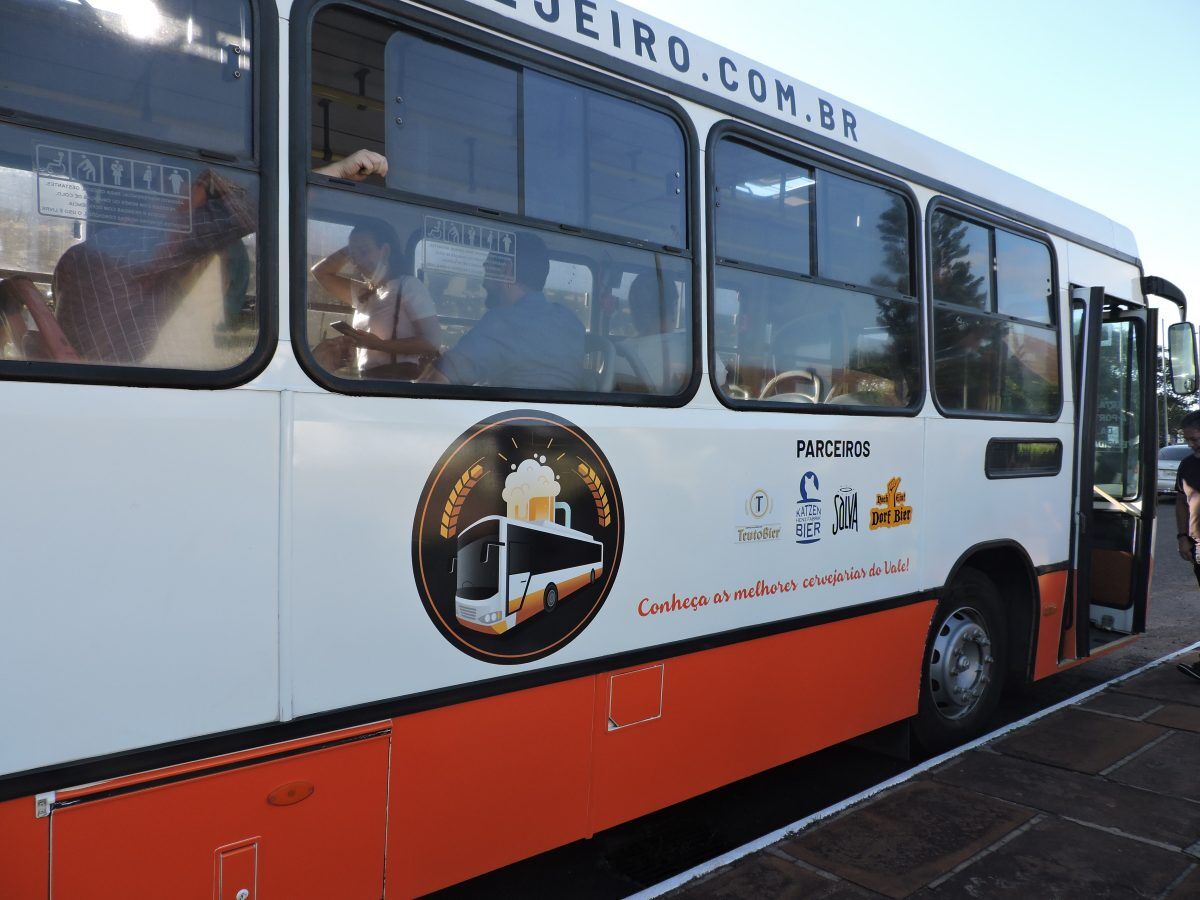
<point x="518" y="537"/>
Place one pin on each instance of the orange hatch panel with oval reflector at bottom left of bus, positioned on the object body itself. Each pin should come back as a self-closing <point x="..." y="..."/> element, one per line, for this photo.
<point x="255" y="829"/>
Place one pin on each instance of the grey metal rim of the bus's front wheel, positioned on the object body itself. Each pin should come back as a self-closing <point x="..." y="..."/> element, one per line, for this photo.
<point x="961" y="664"/>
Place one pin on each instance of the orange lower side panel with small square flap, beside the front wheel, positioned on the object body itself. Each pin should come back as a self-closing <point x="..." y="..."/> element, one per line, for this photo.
<point x="736" y="711"/>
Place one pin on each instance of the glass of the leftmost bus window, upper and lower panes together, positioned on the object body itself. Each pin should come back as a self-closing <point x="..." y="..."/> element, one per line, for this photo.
<point x="112" y="254"/>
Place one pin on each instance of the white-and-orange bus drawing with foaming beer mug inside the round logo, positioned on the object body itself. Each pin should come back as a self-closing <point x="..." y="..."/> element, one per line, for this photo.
<point x="511" y="568"/>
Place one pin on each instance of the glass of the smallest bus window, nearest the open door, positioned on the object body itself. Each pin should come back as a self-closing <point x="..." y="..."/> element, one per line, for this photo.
<point x="995" y="338"/>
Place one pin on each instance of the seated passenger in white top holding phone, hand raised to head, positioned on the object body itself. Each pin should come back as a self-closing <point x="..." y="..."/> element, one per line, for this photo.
<point x="395" y="325"/>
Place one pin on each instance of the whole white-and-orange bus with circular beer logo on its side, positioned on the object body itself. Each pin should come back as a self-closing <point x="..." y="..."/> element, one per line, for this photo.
<point x="315" y="316"/>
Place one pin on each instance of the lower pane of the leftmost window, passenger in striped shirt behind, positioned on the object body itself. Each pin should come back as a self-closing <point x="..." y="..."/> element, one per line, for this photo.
<point x="117" y="257"/>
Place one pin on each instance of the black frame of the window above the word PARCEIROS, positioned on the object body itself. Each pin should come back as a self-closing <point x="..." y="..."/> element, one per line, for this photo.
<point x="803" y="155"/>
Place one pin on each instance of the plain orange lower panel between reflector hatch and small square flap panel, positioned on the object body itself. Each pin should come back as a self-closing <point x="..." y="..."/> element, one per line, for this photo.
<point x="481" y="785"/>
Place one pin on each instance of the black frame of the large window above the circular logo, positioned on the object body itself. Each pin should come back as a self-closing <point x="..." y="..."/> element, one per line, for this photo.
<point x="471" y="39"/>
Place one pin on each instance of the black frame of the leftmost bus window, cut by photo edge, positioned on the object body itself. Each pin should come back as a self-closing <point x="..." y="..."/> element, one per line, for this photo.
<point x="265" y="152"/>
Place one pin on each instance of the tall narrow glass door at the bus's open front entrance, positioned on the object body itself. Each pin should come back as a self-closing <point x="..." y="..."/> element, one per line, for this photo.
<point x="1121" y="511"/>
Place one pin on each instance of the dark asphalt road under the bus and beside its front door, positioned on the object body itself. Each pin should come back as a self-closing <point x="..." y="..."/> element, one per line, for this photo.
<point x="638" y="855"/>
